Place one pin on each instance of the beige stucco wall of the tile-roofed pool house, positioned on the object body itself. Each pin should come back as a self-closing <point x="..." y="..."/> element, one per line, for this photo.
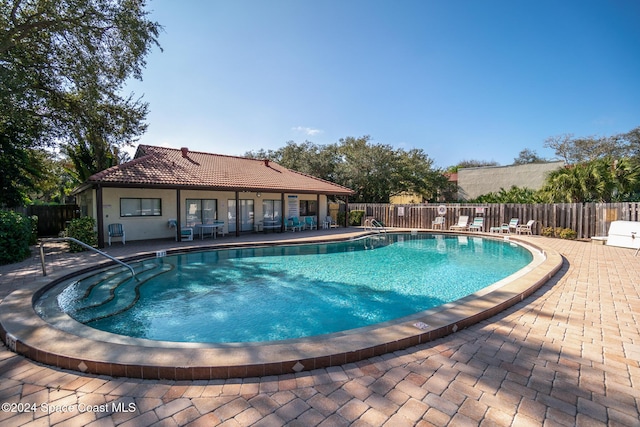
<point x="156" y="227"/>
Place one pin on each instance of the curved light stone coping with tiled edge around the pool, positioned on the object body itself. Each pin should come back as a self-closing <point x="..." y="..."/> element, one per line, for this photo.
<point x="26" y="333"/>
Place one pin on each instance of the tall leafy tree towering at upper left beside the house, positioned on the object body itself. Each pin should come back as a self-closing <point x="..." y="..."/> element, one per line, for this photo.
<point x="62" y="67"/>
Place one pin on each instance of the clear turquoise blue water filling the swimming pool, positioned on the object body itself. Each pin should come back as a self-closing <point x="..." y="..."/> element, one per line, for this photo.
<point x="283" y="292"/>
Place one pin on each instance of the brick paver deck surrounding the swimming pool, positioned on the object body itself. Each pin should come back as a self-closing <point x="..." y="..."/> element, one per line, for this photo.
<point x="567" y="355"/>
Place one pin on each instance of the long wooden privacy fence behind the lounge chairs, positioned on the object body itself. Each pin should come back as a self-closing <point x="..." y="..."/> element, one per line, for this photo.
<point x="586" y="219"/>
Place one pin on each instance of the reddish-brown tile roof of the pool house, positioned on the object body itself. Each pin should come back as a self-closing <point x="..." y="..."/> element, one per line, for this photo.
<point x="159" y="166"/>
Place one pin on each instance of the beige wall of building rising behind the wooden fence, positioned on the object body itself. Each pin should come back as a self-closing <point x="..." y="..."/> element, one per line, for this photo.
<point x="474" y="182"/>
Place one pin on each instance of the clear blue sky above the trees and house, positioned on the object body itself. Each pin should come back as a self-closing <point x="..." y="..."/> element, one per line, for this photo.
<point x="460" y="79"/>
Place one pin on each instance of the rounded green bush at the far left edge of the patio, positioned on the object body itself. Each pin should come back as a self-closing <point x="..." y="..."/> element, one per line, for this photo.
<point x="15" y="236"/>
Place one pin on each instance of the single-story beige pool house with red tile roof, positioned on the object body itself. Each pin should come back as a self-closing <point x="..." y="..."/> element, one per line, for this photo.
<point x="164" y="190"/>
